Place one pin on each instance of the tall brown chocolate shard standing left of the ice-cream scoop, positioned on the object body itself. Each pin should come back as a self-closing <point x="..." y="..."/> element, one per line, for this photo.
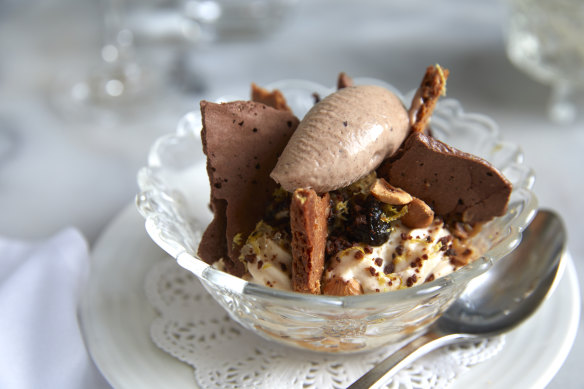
<point x="242" y="141"/>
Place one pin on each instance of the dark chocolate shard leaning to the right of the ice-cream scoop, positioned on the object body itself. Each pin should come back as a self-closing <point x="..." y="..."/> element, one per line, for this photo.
<point x="453" y="183"/>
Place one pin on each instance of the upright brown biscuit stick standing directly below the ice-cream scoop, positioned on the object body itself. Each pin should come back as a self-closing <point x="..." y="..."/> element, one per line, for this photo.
<point x="308" y="222"/>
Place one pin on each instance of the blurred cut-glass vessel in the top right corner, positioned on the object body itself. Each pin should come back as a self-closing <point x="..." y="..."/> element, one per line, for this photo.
<point x="545" y="39"/>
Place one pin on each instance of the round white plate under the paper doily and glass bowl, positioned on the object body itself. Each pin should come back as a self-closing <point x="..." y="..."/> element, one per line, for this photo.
<point x="116" y="319"/>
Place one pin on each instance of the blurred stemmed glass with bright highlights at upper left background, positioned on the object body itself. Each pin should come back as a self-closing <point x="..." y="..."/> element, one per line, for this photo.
<point x="116" y="89"/>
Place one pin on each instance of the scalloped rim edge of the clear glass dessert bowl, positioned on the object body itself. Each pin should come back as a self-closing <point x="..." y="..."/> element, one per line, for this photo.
<point x="463" y="275"/>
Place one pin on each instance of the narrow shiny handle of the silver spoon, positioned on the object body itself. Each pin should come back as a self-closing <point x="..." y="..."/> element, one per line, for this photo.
<point x="413" y="350"/>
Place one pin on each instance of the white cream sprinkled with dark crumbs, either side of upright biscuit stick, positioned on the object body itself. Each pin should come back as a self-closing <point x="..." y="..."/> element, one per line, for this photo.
<point x="410" y="257"/>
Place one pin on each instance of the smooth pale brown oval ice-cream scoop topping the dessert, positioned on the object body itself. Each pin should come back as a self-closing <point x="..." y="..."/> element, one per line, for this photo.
<point x="342" y="138"/>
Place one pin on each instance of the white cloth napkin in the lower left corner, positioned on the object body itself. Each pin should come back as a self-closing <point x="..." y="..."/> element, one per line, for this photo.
<point x="41" y="345"/>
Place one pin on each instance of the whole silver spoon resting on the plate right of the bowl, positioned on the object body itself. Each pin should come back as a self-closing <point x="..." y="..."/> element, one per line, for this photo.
<point x="498" y="301"/>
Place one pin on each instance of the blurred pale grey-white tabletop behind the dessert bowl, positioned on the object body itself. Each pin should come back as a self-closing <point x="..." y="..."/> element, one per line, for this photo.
<point x="53" y="177"/>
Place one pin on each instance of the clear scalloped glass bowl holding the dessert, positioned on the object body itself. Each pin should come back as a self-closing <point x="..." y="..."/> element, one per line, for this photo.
<point x="174" y="196"/>
